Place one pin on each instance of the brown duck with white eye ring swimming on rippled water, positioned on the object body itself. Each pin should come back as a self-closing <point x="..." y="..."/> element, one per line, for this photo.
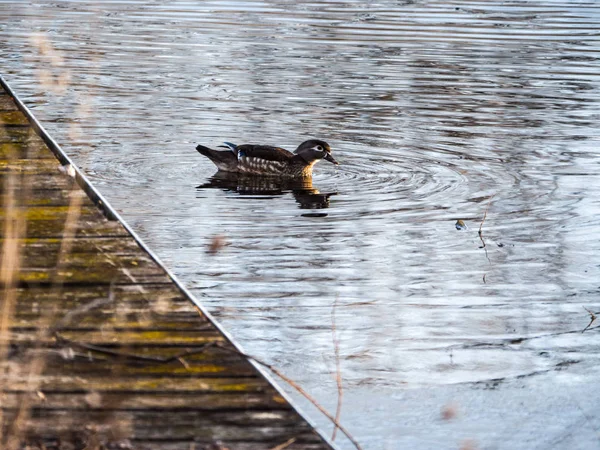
<point x="266" y="160"/>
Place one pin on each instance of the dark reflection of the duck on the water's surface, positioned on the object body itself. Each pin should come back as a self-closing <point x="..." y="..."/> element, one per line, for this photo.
<point x="306" y="195"/>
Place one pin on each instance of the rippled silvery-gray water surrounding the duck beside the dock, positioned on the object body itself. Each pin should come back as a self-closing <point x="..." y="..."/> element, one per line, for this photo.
<point x="437" y="112"/>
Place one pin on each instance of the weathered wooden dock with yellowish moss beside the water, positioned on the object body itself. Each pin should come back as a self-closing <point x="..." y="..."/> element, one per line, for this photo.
<point x="99" y="347"/>
